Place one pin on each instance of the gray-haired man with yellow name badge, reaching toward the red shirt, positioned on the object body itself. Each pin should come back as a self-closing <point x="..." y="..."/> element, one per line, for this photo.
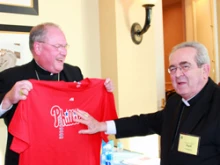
<point x="189" y="125"/>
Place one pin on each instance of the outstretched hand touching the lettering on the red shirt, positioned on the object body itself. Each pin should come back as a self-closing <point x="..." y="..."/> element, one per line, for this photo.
<point x="93" y="125"/>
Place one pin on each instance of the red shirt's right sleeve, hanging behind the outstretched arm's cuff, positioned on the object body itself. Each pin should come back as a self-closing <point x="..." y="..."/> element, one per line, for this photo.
<point x="109" y="110"/>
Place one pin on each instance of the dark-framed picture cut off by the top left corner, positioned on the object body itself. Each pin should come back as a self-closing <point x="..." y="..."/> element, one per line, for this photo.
<point x="19" y="7"/>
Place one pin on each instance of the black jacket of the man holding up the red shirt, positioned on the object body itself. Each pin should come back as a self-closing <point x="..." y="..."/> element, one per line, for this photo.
<point x="10" y="76"/>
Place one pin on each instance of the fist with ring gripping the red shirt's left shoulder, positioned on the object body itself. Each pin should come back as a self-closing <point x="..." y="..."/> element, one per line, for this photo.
<point x="18" y="92"/>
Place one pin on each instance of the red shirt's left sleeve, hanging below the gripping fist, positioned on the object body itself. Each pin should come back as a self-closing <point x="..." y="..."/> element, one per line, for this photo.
<point x="18" y="127"/>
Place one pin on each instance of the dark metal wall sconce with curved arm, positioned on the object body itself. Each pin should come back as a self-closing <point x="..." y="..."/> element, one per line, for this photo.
<point x="136" y="29"/>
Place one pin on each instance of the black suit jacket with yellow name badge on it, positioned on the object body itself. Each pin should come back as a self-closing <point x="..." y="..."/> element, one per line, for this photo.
<point x="201" y="119"/>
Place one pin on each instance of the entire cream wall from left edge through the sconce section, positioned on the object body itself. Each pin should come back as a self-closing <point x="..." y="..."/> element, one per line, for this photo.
<point x="136" y="70"/>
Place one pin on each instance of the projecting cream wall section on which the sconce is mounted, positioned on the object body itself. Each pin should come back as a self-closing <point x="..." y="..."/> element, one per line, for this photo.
<point x="133" y="67"/>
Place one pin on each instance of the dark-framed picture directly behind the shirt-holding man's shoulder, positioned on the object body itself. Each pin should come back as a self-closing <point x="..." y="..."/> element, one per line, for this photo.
<point x="14" y="46"/>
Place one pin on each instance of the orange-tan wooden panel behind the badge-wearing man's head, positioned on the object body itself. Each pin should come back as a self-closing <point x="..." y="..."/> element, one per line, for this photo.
<point x="206" y="33"/>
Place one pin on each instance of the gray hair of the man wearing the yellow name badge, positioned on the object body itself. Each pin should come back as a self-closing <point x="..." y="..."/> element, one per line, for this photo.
<point x="202" y="56"/>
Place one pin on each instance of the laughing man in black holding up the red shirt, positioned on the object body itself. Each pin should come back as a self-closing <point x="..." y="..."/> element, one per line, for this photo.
<point x="49" y="48"/>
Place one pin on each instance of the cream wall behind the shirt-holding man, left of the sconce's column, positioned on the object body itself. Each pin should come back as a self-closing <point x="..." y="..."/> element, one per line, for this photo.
<point x="79" y="20"/>
